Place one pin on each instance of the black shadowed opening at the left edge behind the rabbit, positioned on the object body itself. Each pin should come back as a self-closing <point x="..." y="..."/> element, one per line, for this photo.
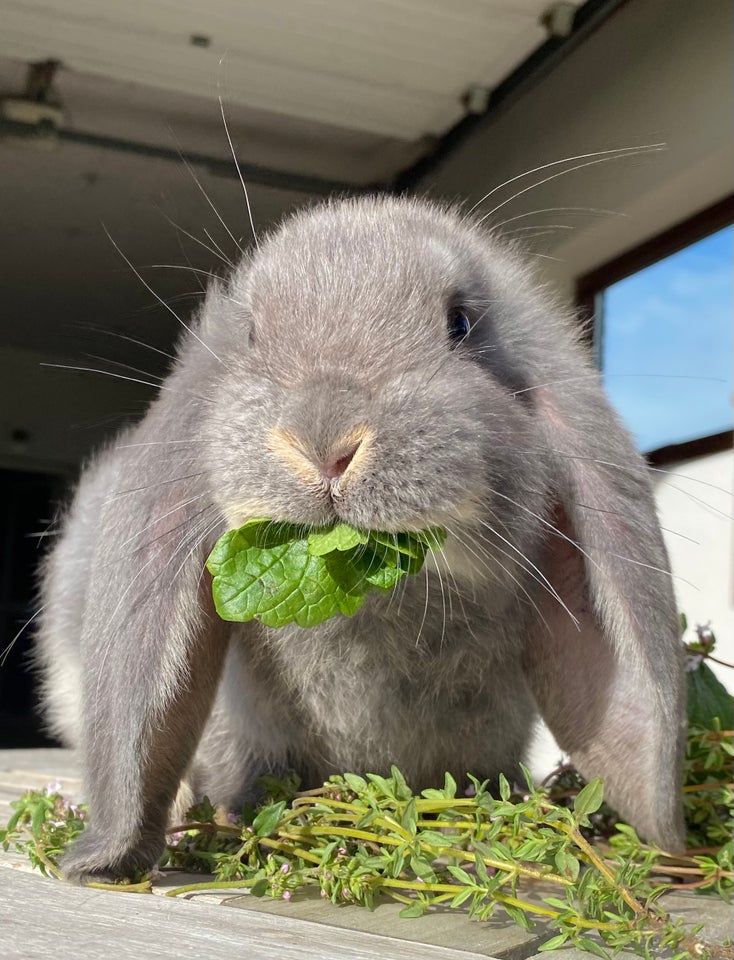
<point x="28" y="503"/>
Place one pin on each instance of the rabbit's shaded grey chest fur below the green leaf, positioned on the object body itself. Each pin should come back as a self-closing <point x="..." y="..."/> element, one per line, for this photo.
<point x="423" y="679"/>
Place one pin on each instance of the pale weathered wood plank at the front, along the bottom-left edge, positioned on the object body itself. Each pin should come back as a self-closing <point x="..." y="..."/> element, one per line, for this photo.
<point x="41" y="919"/>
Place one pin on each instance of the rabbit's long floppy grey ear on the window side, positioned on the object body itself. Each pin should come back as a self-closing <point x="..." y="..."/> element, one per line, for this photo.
<point x="611" y="688"/>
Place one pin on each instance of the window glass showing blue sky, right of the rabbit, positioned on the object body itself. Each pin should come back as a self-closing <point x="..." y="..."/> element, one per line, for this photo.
<point x="667" y="344"/>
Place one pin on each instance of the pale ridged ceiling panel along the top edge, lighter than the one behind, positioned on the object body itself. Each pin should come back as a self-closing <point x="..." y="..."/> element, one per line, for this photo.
<point x="396" y="68"/>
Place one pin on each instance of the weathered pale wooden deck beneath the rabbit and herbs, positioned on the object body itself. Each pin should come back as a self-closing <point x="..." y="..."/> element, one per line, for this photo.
<point x="41" y="918"/>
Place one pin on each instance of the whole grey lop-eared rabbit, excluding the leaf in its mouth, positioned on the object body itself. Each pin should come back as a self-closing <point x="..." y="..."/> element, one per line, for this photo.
<point x="388" y="363"/>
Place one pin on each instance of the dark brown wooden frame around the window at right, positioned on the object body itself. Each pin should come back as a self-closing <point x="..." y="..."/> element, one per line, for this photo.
<point x="590" y="285"/>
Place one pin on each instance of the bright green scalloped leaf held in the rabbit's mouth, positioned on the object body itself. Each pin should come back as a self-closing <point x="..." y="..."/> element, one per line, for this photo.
<point x="280" y="573"/>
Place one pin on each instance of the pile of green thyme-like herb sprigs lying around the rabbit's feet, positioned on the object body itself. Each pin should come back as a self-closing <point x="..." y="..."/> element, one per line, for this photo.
<point x="554" y="854"/>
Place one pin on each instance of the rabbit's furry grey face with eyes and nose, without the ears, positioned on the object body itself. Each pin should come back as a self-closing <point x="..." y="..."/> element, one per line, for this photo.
<point x="368" y="382"/>
